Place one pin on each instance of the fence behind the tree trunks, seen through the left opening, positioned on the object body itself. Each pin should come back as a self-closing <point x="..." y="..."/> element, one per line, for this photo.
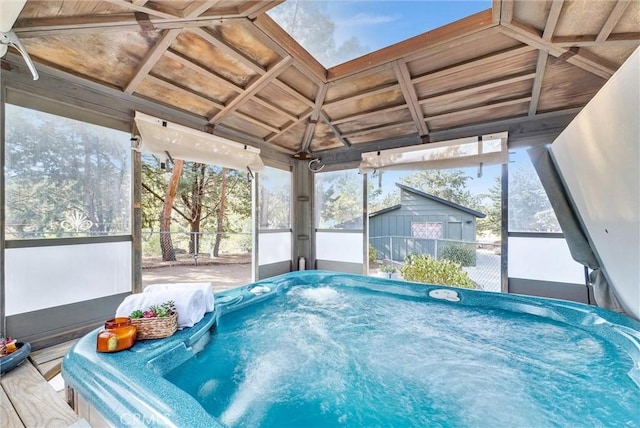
<point x="195" y="243"/>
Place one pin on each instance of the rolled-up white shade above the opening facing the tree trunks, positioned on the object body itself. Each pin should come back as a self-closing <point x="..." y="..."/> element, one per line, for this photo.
<point x="160" y="137"/>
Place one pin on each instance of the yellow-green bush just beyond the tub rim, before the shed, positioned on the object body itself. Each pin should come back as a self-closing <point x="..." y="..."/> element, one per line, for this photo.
<point x="426" y="269"/>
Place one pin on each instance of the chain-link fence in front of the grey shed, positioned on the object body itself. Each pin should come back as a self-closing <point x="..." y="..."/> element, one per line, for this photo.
<point x="480" y="260"/>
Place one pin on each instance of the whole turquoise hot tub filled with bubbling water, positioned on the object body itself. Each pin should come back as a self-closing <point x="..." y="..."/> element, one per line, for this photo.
<point x="326" y="349"/>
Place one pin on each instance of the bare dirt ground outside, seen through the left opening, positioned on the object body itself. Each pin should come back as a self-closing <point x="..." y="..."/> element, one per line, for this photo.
<point x="227" y="271"/>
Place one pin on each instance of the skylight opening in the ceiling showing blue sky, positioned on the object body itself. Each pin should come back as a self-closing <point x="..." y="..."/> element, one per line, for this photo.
<point x="337" y="31"/>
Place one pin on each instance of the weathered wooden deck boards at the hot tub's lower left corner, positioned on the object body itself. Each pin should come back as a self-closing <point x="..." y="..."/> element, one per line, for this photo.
<point x="27" y="399"/>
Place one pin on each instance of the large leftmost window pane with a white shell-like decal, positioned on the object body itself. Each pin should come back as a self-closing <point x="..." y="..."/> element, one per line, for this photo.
<point x="65" y="178"/>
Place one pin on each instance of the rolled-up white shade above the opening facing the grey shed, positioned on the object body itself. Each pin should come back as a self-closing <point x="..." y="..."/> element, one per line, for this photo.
<point x="460" y="153"/>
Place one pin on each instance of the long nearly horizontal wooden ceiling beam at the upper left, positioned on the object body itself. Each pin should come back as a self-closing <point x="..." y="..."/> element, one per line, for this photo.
<point x="45" y="27"/>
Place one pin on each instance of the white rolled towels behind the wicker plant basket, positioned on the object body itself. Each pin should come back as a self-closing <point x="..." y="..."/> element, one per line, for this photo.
<point x="189" y="304"/>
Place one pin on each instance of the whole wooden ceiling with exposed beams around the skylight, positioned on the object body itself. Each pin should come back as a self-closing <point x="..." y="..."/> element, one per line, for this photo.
<point x="231" y="66"/>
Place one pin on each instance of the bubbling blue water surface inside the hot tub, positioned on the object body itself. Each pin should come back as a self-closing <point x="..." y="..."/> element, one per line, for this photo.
<point x="326" y="355"/>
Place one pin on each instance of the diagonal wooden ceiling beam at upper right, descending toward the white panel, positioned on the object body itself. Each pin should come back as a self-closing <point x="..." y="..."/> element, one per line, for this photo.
<point x="532" y="37"/>
